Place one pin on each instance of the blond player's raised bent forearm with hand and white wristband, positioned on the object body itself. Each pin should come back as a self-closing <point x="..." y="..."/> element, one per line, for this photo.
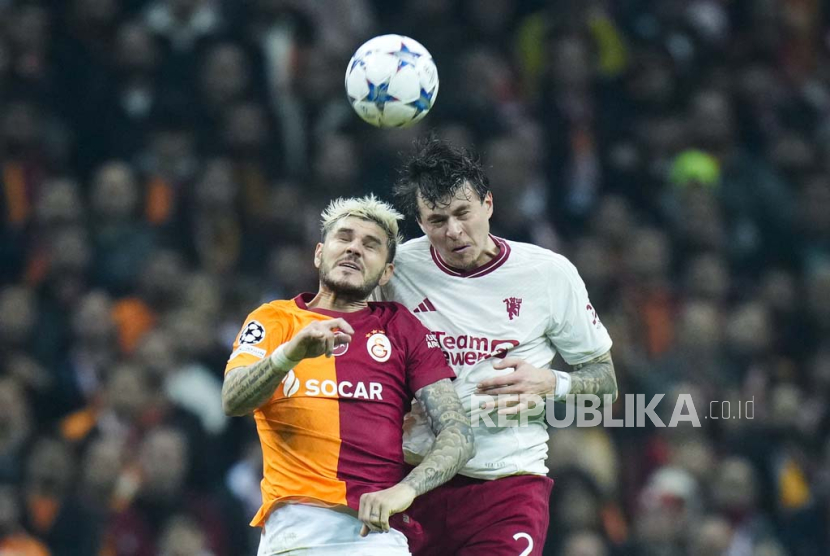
<point x="247" y="388"/>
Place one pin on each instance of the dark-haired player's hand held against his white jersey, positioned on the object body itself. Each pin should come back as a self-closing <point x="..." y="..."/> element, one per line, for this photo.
<point x="524" y="380"/>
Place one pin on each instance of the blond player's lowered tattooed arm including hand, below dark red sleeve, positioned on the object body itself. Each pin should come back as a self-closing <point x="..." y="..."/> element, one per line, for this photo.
<point x="454" y="446"/>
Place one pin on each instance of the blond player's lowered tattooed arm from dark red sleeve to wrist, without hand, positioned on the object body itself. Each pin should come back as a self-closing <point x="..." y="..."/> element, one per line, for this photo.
<point x="454" y="442"/>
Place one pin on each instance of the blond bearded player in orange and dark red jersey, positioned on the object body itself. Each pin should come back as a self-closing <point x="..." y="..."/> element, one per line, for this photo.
<point x="331" y="427"/>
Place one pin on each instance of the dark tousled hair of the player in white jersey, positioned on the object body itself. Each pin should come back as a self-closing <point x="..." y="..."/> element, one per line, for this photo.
<point x="437" y="170"/>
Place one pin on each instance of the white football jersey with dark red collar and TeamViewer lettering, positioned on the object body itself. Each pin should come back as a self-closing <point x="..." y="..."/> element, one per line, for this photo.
<point x="527" y="302"/>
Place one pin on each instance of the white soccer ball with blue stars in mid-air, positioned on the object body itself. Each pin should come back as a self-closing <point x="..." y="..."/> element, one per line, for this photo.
<point x="391" y="81"/>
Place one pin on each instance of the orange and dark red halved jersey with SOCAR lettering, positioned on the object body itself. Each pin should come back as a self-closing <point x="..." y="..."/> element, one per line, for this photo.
<point x="332" y="430"/>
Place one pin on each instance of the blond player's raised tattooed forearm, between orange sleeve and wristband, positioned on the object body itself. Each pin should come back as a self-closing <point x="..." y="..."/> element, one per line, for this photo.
<point x="246" y="388"/>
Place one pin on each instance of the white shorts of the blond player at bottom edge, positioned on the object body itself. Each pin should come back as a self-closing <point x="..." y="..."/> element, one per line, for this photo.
<point x="303" y="530"/>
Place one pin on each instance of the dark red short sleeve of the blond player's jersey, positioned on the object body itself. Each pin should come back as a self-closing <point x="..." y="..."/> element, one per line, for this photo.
<point x="425" y="362"/>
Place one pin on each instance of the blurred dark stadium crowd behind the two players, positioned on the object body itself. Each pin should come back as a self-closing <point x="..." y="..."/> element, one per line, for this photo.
<point x="163" y="164"/>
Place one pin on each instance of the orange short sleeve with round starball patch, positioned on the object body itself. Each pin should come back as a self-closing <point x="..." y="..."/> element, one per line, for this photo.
<point x="262" y="332"/>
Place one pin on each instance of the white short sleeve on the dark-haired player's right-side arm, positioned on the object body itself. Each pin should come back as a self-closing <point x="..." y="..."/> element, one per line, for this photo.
<point x="575" y="329"/>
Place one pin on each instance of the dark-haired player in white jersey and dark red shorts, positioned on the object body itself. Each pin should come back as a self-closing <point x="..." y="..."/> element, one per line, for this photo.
<point x="500" y="311"/>
